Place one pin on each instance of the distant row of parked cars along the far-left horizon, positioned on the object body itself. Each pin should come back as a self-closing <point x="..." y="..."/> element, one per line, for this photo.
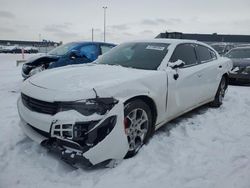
<point x="18" y="49"/>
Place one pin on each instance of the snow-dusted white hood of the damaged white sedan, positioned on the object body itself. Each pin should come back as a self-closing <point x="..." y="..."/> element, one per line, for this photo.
<point x="86" y="78"/>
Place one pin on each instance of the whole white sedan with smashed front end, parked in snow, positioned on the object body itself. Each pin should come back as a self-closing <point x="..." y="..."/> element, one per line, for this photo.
<point x="105" y="111"/>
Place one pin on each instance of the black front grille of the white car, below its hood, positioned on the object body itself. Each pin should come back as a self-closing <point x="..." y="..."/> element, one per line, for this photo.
<point x="39" y="106"/>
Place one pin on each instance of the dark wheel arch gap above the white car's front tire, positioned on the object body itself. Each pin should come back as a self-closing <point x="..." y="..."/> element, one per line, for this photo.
<point x="150" y="102"/>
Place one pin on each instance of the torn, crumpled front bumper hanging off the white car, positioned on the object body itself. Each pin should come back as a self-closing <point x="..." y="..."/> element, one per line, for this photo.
<point x="113" y="144"/>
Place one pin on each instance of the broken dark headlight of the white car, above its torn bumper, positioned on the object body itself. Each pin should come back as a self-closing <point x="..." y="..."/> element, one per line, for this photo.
<point x="88" y="107"/>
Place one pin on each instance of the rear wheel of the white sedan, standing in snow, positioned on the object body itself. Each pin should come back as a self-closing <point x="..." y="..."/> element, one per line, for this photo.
<point x="218" y="100"/>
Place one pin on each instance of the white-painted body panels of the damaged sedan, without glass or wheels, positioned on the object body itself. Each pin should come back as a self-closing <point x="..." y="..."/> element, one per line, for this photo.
<point x="195" y="86"/>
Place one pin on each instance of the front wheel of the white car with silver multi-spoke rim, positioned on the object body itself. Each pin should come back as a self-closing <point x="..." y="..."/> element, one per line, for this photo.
<point x="138" y="125"/>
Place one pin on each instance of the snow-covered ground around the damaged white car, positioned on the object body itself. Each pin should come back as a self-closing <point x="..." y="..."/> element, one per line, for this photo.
<point x="207" y="148"/>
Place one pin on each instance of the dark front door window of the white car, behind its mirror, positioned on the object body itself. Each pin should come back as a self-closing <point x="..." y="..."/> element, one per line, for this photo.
<point x="186" y="53"/>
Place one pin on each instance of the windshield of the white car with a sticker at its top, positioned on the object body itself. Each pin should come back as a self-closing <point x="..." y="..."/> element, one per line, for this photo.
<point x="138" y="55"/>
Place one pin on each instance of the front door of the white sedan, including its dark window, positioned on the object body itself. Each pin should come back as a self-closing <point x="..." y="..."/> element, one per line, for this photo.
<point x="184" y="92"/>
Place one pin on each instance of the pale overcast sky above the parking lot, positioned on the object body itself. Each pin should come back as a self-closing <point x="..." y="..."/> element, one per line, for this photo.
<point x="72" y="20"/>
